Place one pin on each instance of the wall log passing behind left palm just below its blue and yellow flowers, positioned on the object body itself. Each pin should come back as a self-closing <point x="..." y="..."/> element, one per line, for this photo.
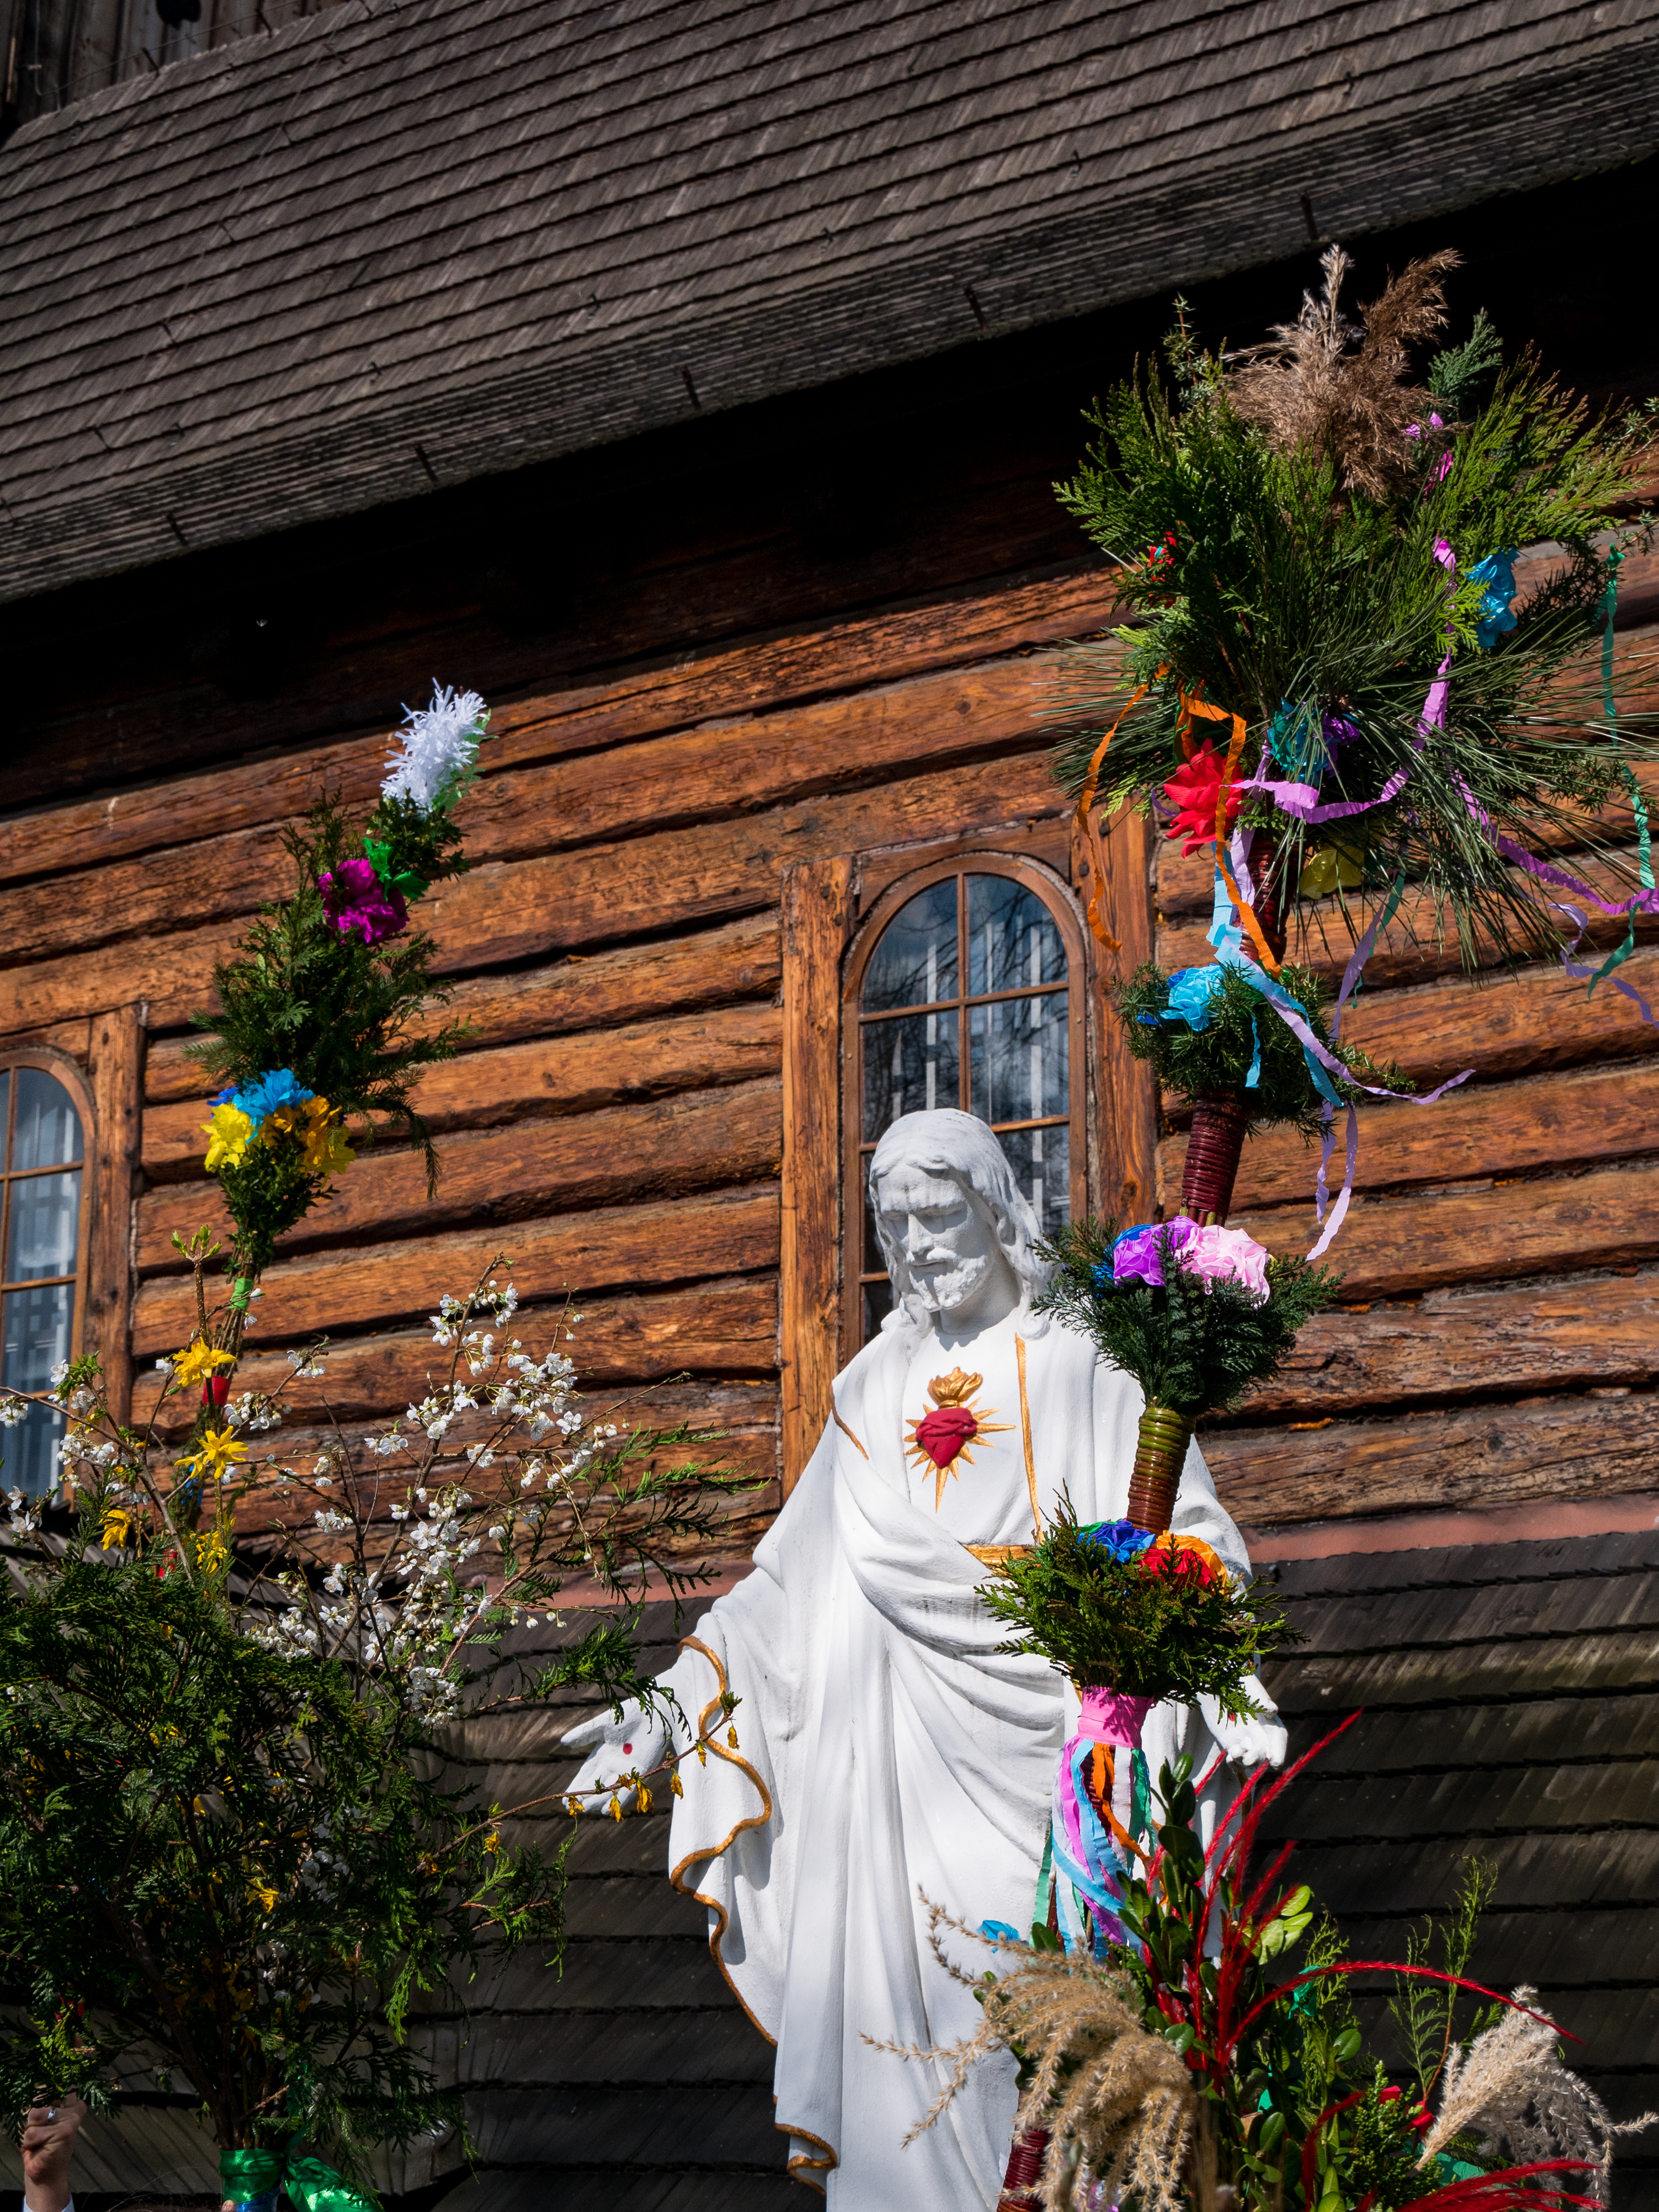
<point x="696" y="1142"/>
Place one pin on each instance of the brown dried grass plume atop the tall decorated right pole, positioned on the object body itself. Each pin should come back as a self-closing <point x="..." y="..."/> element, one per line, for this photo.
<point x="1337" y="388"/>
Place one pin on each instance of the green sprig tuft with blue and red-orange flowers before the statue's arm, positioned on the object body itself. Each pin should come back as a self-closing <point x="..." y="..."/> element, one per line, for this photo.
<point x="1156" y="1623"/>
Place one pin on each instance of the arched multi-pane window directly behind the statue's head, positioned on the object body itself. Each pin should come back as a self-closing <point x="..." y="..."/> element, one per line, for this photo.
<point x="966" y="990"/>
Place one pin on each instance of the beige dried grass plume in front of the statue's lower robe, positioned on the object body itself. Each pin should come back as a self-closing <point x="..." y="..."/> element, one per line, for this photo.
<point x="1118" y="2103"/>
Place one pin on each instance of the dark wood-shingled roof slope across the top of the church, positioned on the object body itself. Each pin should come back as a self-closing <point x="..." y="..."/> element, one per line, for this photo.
<point x="399" y="247"/>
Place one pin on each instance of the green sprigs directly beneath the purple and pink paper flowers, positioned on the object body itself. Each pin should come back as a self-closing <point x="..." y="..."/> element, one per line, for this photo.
<point x="1189" y="1344"/>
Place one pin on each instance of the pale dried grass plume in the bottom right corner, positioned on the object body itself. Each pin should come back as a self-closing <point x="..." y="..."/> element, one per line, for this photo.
<point x="1514" y="2096"/>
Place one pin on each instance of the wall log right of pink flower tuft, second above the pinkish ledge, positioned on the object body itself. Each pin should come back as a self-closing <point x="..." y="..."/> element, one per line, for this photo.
<point x="1457" y="1344"/>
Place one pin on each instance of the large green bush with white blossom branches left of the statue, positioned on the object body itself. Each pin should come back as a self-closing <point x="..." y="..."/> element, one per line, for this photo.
<point x="238" y="1844"/>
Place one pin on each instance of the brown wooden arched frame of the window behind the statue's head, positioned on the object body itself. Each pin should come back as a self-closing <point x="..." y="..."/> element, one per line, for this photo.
<point x="1058" y="901"/>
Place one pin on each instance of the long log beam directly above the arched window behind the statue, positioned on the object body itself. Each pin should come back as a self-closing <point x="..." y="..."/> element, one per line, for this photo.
<point x="603" y="895"/>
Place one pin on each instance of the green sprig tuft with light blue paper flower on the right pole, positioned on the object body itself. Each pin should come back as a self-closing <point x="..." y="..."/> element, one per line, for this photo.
<point x="1242" y="1034"/>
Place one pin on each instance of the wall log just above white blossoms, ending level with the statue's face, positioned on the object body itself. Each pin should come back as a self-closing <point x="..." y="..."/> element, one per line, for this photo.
<point x="620" y="1249"/>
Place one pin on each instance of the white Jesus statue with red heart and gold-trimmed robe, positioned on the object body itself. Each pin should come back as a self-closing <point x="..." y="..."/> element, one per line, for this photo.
<point x="888" y="1751"/>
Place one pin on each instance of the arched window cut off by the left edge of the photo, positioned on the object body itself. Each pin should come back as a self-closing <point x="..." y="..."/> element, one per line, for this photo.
<point x="43" y="1242"/>
